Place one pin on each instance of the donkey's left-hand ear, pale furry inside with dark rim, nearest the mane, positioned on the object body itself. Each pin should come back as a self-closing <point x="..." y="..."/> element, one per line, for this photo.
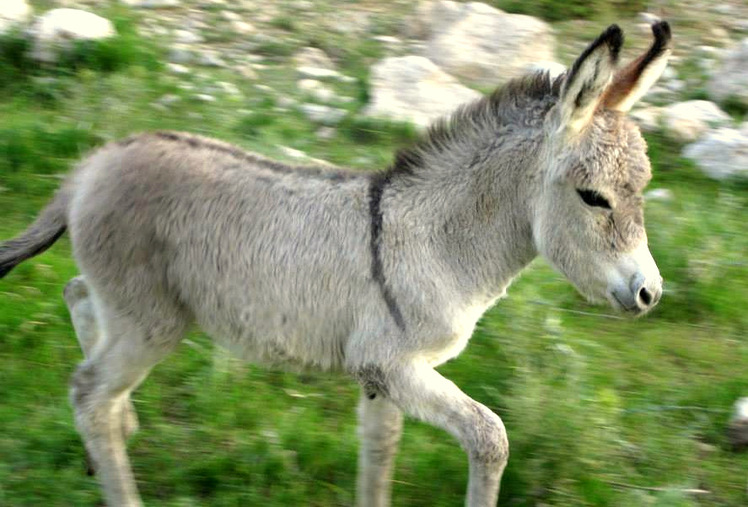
<point x="586" y="81"/>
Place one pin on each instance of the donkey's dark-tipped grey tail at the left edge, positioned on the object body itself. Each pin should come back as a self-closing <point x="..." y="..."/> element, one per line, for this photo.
<point x="47" y="229"/>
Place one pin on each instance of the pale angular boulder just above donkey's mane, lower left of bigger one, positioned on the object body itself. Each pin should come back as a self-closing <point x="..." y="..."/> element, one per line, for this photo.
<point x="413" y="88"/>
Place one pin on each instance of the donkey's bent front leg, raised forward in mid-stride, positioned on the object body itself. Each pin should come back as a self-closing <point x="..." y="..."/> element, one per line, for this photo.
<point x="423" y="393"/>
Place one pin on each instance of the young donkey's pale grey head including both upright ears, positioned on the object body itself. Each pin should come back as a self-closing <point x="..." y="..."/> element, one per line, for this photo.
<point x="588" y="219"/>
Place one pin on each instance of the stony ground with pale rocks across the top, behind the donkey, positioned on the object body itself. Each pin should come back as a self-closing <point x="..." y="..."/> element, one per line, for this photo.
<point x="437" y="53"/>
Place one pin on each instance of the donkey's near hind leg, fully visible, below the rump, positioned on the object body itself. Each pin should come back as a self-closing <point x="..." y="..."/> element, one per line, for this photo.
<point x="100" y="389"/>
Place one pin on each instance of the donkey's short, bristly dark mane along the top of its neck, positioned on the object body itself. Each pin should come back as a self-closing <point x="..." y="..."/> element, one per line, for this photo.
<point x="508" y="104"/>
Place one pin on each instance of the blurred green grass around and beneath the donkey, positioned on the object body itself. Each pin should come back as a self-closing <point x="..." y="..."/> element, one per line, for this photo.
<point x="597" y="408"/>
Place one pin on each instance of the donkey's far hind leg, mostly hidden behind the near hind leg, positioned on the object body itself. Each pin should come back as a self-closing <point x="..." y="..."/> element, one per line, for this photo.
<point x="80" y="306"/>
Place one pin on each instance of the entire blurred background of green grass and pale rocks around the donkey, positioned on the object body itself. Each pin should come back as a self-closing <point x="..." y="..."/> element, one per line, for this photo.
<point x="599" y="410"/>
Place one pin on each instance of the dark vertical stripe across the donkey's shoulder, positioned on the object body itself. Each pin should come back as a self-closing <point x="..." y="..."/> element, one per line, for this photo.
<point x="376" y="189"/>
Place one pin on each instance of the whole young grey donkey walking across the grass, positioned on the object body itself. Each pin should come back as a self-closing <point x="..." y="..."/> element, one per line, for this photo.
<point x="382" y="276"/>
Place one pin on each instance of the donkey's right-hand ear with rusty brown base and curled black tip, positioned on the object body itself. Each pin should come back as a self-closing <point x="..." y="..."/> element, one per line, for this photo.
<point x="633" y="81"/>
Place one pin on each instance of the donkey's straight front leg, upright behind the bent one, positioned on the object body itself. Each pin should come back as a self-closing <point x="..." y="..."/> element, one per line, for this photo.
<point x="380" y="427"/>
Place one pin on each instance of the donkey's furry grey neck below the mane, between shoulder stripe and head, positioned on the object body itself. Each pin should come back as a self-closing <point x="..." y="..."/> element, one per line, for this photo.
<point x="467" y="206"/>
